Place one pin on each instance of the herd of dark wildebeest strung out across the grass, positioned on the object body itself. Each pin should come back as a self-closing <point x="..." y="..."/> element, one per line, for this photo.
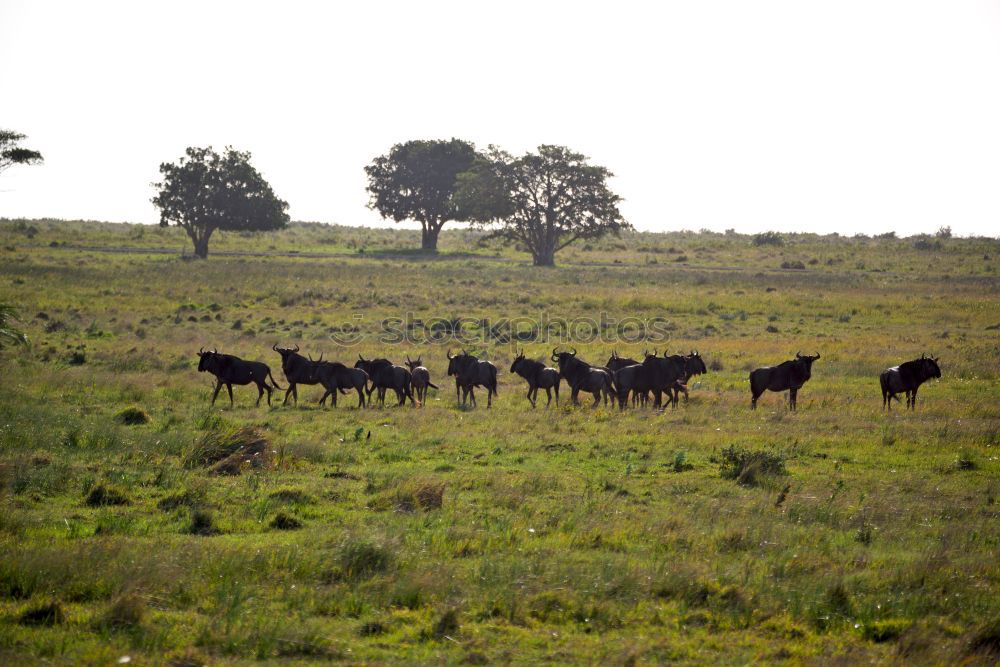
<point x="622" y="380"/>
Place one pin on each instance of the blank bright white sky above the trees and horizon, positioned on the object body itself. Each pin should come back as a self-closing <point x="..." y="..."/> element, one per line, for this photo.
<point x="847" y="115"/>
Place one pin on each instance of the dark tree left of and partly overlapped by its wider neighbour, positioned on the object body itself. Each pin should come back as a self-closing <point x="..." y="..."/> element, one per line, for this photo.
<point x="417" y="181"/>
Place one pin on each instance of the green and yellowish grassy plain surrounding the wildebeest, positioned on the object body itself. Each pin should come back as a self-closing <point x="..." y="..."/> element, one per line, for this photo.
<point x="449" y="535"/>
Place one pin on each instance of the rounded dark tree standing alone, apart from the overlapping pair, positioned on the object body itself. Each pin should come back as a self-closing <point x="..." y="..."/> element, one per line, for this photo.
<point x="205" y="191"/>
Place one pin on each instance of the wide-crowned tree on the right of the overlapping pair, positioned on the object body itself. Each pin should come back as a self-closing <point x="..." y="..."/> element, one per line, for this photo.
<point x="545" y="201"/>
